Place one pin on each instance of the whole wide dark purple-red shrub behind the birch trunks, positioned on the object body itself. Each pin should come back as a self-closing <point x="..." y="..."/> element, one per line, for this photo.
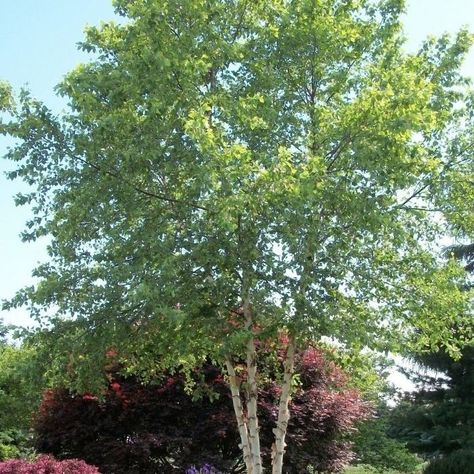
<point x="159" y="428"/>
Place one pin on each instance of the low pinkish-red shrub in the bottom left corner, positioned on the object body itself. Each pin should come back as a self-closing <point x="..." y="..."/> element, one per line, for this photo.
<point x="47" y="465"/>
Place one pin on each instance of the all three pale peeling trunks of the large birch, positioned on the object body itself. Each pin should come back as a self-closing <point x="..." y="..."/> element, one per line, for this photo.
<point x="247" y="420"/>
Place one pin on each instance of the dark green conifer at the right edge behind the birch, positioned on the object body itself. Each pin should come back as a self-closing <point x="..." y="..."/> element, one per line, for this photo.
<point x="437" y="420"/>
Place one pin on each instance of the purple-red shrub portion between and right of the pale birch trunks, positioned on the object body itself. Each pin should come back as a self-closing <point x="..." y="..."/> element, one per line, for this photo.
<point x="324" y="411"/>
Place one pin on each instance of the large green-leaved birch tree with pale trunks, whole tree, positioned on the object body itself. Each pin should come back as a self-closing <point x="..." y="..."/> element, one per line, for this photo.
<point x="278" y="160"/>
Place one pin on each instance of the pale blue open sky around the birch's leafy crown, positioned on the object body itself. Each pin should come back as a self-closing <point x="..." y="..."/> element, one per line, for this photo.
<point x="38" y="46"/>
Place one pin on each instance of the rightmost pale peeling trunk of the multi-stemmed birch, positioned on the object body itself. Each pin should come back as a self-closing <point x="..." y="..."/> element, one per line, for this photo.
<point x="278" y="449"/>
